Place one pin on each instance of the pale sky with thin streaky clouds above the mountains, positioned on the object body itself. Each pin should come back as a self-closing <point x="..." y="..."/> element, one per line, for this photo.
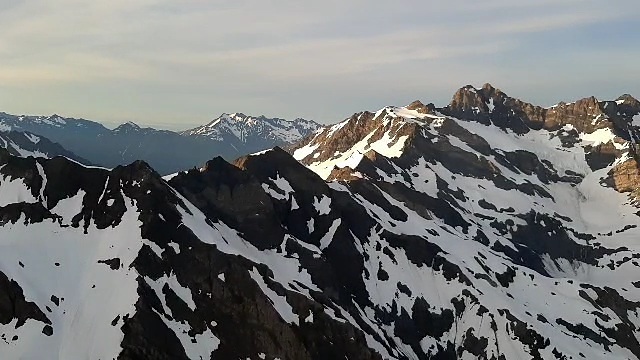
<point x="178" y="64"/>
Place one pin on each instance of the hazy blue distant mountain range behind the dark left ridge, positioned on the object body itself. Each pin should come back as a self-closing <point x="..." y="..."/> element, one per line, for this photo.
<point x="166" y="151"/>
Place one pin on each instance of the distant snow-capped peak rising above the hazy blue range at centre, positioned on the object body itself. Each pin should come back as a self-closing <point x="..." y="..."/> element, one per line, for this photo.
<point x="239" y="128"/>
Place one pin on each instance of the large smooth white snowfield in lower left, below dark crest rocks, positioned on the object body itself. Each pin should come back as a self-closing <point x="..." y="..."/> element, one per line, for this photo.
<point x="82" y="322"/>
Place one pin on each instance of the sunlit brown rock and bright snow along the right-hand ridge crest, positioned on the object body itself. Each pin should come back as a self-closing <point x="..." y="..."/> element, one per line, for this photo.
<point x="606" y="126"/>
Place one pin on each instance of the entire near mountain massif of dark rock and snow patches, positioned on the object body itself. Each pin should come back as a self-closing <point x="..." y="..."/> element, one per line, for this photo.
<point x="489" y="228"/>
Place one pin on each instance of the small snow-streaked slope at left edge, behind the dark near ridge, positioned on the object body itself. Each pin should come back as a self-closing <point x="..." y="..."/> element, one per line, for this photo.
<point x="27" y="144"/>
